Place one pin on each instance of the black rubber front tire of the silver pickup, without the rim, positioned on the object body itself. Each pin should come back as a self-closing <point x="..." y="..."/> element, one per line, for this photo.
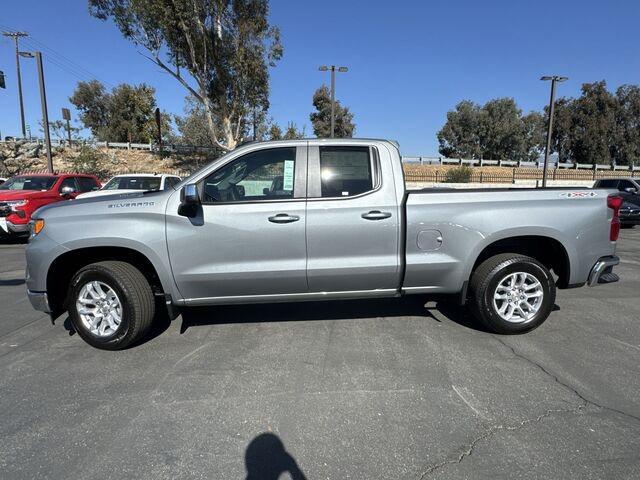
<point x="136" y="297"/>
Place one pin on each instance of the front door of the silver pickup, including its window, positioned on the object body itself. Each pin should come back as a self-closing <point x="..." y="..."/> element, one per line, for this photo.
<point x="249" y="239"/>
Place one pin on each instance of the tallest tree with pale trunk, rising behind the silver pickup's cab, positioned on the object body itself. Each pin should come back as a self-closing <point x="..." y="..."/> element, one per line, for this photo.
<point x="226" y="46"/>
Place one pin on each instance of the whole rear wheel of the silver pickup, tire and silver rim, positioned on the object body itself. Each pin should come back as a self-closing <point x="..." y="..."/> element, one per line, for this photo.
<point x="512" y="293"/>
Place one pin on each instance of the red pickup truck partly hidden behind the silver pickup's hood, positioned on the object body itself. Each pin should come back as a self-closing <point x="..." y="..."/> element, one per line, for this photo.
<point x="22" y="195"/>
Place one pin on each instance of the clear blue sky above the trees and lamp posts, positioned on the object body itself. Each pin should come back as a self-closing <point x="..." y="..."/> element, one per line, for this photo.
<point x="409" y="61"/>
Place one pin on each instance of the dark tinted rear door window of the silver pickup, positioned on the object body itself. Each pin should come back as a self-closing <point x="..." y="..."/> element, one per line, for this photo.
<point x="345" y="171"/>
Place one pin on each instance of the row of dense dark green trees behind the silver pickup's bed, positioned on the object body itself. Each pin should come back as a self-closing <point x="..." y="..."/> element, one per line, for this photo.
<point x="597" y="127"/>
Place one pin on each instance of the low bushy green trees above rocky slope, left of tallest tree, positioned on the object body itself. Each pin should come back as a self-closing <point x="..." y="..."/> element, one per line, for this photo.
<point x="126" y="114"/>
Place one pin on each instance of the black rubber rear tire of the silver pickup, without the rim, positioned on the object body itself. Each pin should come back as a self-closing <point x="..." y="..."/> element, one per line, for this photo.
<point x="485" y="280"/>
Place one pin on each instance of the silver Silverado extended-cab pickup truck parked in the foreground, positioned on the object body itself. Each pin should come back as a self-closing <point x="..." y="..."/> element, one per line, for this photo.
<point x="314" y="220"/>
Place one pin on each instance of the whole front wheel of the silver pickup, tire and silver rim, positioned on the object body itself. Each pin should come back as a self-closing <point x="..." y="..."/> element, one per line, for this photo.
<point x="110" y="304"/>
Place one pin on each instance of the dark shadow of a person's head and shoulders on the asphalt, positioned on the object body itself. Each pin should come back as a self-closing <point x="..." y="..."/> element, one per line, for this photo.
<point x="267" y="459"/>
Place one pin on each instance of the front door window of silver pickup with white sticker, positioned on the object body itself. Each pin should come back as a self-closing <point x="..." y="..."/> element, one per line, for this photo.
<point x="262" y="175"/>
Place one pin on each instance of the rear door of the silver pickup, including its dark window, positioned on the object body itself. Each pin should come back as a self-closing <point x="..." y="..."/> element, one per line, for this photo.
<point x="353" y="221"/>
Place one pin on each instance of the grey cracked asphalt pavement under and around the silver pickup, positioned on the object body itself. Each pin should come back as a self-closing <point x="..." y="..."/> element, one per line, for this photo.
<point x="360" y="389"/>
